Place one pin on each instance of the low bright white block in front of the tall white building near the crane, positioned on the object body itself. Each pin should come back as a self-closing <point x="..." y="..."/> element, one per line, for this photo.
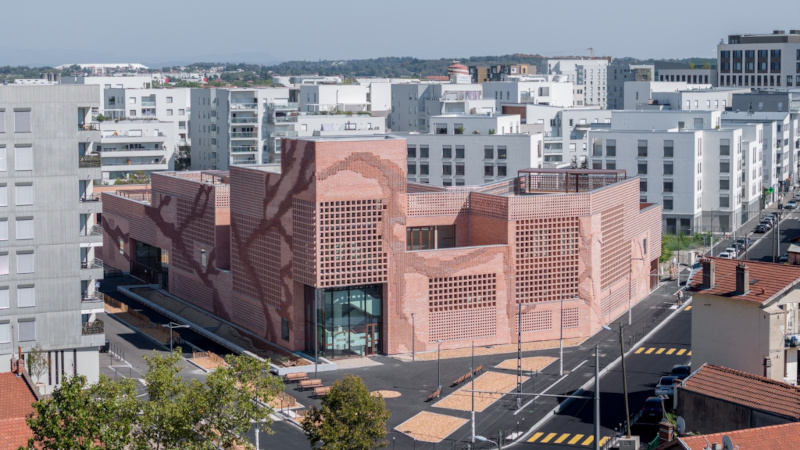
<point x="540" y="90"/>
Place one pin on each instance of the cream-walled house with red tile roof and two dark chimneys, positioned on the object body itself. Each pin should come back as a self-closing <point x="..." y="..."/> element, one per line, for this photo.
<point x="745" y="317"/>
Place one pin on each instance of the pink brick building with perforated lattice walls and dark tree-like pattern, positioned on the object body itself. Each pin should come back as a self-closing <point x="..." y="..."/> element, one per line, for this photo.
<point x="337" y="229"/>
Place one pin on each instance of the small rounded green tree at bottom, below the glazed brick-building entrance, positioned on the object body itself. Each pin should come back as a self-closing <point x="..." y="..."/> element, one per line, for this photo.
<point x="349" y="418"/>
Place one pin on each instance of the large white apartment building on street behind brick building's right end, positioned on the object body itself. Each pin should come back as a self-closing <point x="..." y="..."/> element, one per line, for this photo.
<point x="706" y="177"/>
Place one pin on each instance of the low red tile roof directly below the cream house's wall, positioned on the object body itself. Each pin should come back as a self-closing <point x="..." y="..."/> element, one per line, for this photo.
<point x="746" y="389"/>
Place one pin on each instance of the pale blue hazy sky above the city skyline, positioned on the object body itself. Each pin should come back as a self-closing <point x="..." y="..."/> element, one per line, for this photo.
<point x="266" y="31"/>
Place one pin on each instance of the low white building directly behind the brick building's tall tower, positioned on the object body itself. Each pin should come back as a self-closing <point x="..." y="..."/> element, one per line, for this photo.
<point x="283" y="122"/>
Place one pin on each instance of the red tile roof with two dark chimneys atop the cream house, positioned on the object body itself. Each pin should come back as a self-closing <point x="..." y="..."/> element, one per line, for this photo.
<point x="766" y="279"/>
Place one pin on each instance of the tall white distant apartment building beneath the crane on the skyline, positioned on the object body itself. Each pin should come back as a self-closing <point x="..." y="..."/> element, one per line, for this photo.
<point x="589" y="75"/>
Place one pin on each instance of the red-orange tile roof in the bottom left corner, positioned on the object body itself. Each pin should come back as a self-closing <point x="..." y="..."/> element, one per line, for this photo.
<point x="17" y="400"/>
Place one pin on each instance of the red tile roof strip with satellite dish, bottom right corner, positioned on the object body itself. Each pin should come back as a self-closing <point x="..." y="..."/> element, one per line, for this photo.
<point x="775" y="437"/>
